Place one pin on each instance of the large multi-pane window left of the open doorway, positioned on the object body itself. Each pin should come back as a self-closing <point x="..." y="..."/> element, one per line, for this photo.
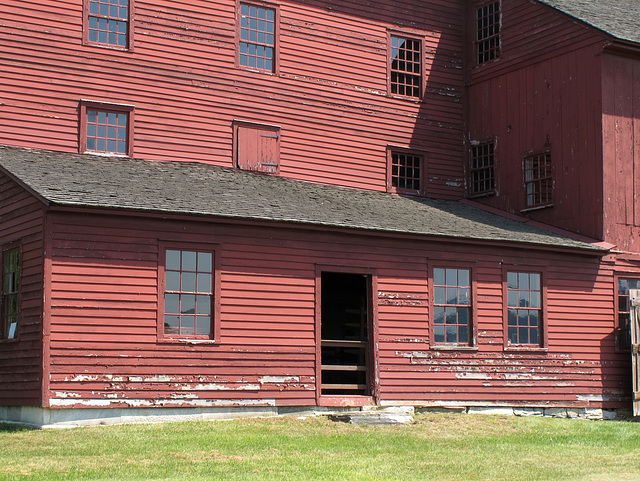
<point x="188" y="296"/>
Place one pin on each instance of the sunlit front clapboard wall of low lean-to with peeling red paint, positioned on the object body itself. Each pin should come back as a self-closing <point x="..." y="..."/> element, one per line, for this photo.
<point x="105" y="351"/>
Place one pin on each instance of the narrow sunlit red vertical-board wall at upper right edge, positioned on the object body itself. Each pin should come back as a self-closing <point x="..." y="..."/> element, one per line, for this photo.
<point x="621" y="137"/>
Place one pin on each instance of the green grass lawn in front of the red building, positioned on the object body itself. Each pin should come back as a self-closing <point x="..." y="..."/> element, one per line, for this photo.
<point x="437" y="446"/>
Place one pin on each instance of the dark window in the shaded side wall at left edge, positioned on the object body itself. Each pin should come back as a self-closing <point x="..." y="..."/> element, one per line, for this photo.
<point x="10" y="293"/>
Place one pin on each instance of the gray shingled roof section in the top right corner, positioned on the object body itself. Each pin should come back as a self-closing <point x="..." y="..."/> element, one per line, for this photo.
<point x="619" y="18"/>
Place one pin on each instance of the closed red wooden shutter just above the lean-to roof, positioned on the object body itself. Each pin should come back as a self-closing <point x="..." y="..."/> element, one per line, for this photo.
<point x="257" y="147"/>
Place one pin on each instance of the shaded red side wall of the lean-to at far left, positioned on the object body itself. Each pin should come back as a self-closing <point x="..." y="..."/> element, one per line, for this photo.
<point x="21" y="359"/>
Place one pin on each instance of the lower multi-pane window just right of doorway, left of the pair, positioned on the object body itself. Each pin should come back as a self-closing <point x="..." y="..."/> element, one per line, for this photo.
<point x="451" y="306"/>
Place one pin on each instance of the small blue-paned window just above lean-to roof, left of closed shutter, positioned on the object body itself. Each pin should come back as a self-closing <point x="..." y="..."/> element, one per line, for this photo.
<point x="107" y="131"/>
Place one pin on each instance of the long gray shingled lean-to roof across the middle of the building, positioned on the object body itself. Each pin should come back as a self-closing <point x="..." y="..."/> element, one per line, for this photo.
<point x="193" y="188"/>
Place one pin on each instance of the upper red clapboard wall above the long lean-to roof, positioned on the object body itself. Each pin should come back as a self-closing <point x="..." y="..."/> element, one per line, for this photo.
<point x="329" y="96"/>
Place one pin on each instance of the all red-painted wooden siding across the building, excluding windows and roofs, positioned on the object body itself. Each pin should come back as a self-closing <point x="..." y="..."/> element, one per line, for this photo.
<point x="89" y="335"/>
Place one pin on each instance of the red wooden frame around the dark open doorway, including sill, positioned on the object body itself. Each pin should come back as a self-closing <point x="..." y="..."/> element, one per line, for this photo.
<point x="373" y="355"/>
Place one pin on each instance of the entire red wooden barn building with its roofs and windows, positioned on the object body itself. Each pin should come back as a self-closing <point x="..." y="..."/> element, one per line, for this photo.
<point x="236" y="207"/>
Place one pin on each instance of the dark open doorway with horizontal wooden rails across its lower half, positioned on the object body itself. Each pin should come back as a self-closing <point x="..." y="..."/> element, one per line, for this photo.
<point x="345" y="331"/>
